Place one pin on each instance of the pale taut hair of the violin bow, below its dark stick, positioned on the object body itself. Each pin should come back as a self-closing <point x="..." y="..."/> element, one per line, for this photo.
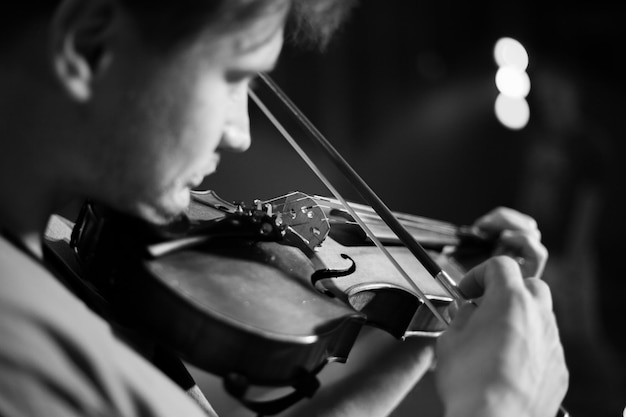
<point x="337" y="195"/>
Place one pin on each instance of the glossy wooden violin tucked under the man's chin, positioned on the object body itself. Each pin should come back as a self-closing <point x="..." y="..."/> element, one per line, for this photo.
<point x="261" y="296"/>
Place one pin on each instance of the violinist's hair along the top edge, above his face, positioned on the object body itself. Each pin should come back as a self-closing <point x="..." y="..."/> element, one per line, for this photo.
<point x="166" y="23"/>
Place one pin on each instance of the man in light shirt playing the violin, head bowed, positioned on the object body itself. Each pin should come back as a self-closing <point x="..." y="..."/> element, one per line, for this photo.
<point x="130" y="102"/>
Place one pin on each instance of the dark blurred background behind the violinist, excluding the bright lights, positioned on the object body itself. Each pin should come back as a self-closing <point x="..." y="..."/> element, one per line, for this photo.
<point x="406" y="92"/>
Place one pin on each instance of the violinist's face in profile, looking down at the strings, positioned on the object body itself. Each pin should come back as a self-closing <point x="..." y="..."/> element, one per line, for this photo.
<point x="162" y="120"/>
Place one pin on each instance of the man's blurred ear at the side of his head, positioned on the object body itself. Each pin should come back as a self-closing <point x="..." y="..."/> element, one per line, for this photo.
<point x="82" y="33"/>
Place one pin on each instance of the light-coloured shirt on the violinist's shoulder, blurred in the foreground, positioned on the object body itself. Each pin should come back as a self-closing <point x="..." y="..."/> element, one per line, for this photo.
<point x="59" y="359"/>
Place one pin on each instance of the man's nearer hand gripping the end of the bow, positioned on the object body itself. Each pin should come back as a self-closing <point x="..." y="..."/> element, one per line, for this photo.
<point x="502" y="356"/>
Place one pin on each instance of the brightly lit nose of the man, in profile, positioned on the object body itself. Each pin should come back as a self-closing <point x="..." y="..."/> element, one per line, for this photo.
<point x="236" y="135"/>
